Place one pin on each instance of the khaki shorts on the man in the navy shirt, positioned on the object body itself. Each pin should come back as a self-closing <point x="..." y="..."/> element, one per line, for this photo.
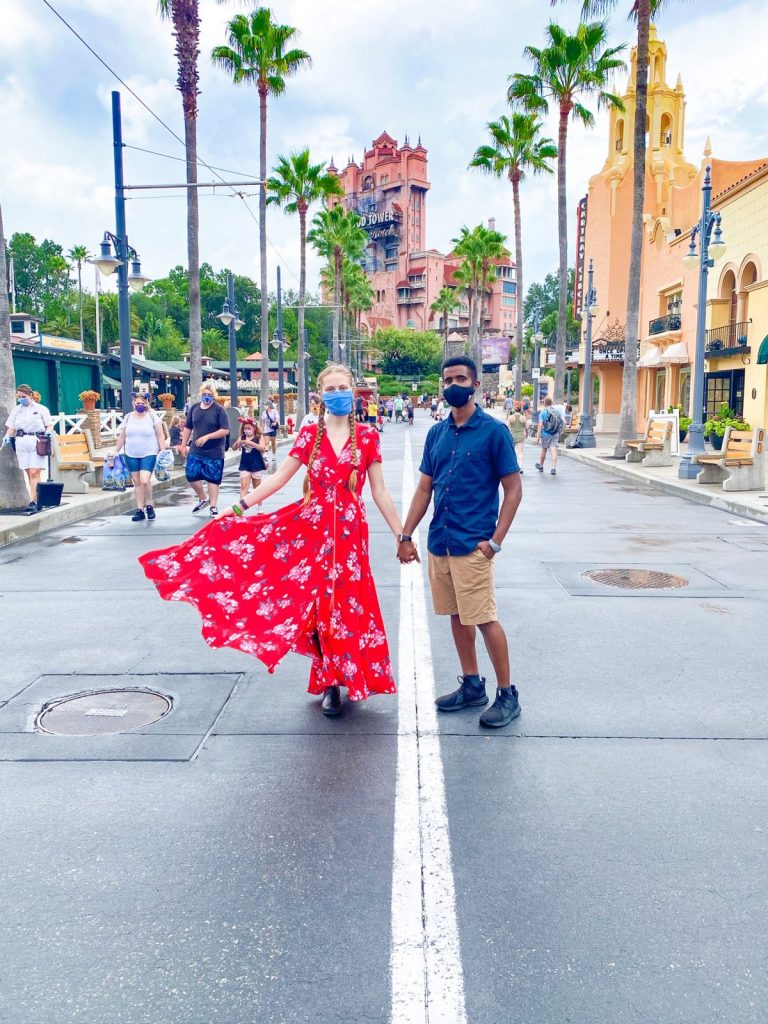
<point x="463" y="585"/>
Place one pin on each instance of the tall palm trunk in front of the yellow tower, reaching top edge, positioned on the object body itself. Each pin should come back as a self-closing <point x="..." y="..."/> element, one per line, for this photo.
<point x="628" y="415"/>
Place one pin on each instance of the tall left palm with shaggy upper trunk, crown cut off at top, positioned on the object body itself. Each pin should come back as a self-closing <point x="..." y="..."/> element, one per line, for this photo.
<point x="185" y="16"/>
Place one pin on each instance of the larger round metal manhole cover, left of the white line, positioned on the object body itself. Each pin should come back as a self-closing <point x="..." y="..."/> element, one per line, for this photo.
<point x="103" y="712"/>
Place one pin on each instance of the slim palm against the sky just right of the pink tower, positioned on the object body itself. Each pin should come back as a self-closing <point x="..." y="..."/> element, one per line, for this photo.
<point x="516" y="149"/>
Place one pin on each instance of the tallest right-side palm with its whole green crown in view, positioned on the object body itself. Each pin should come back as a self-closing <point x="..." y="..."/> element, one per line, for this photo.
<point x="567" y="70"/>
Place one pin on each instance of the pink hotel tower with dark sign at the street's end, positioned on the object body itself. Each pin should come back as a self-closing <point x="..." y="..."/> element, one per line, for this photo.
<point x="390" y="191"/>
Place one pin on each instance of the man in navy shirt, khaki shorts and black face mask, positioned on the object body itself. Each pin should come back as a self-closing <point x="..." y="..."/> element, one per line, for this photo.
<point x="465" y="459"/>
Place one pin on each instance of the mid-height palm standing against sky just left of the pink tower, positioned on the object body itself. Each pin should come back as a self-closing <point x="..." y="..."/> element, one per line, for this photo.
<point x="295" y="185"/>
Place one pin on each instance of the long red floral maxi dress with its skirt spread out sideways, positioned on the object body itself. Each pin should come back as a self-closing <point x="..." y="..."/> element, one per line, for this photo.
<point x="298" y="580"/>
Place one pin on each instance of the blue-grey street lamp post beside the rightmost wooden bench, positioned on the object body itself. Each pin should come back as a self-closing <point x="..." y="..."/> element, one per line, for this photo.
<point x="709" y="251"/>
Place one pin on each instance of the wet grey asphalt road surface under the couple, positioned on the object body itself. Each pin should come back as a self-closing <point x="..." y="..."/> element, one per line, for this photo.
<point x="602" y="862"/>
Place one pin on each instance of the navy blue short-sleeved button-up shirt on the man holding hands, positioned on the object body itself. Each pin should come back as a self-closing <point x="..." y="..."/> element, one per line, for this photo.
<point x="466" y="465"/>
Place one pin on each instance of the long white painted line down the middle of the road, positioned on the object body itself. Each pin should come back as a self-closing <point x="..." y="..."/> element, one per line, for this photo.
<point x="425" y="961"/>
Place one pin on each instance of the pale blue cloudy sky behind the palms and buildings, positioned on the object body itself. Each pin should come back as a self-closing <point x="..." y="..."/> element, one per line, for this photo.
<point x="438" y="68"/>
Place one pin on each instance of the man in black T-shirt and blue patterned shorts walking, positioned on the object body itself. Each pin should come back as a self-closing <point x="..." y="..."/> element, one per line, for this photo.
<point x="203" y="446"/>
